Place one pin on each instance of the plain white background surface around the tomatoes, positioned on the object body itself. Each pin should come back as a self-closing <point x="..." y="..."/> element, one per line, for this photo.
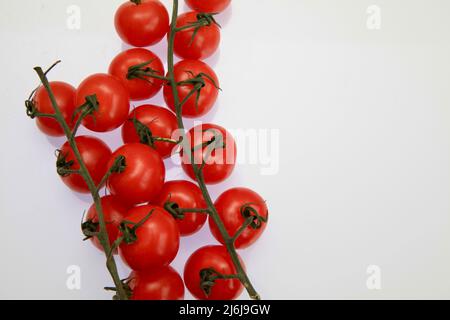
<point x="364" y="155"/>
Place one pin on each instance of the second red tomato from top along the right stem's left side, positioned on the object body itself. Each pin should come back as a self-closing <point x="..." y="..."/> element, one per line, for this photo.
<point x="138" y="89"/>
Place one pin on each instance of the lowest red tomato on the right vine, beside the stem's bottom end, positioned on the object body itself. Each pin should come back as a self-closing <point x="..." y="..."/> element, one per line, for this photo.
<point x="217" y="258"/>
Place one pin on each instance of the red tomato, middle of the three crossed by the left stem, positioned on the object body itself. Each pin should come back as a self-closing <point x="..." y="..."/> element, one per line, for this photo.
<point x="95" y="154"/>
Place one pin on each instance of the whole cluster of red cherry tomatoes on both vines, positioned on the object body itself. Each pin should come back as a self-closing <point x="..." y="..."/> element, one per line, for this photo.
<point x="147" y="213"/>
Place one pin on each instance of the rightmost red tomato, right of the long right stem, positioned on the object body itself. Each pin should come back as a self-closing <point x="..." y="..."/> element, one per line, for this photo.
<point x="229" y="206"/>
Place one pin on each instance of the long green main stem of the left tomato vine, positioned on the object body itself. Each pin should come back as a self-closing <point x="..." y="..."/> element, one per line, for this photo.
<point x="103" y="235"/>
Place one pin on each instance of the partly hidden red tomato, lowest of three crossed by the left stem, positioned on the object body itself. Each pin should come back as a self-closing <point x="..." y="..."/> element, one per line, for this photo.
<point x="113" y="212"/>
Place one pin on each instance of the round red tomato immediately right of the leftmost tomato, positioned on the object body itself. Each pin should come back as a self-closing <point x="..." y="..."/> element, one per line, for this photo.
<point x="113" y="99"/>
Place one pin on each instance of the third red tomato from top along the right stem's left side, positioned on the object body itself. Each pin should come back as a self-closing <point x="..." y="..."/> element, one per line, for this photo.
<point x="161" y="122"/>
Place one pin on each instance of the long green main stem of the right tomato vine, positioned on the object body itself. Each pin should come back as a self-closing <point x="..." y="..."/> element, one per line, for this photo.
<point x="229" y="243"/>
